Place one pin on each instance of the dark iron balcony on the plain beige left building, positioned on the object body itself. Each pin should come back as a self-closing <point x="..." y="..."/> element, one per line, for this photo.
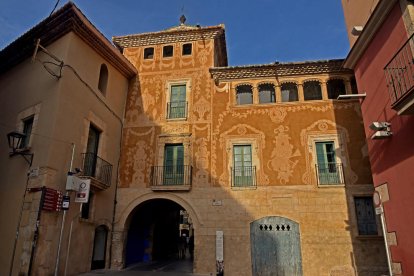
<point x="97" y="169"/>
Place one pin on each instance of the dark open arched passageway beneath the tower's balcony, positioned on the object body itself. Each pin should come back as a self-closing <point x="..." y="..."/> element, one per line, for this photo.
<point x="155" y="230"/>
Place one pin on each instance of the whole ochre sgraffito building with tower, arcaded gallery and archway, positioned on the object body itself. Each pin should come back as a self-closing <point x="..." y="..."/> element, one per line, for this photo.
<point x="264" y="154"/>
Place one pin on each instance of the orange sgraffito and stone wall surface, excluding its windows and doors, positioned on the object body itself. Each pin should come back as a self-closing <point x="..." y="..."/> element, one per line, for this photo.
<point x="282" y="136"/>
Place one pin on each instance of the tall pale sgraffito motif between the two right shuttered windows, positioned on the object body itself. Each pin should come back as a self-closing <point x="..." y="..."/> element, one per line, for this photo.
<point x="282" y="155"/>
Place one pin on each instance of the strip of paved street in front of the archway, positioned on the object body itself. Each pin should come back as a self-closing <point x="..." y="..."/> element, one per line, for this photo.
<point x="161" y="268"/>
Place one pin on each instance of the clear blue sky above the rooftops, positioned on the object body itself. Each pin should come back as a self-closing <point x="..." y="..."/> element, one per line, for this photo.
<point x="257" y="31"/>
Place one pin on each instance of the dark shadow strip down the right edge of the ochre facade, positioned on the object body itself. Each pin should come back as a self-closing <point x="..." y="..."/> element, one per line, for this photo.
<point x="368" y="250"/>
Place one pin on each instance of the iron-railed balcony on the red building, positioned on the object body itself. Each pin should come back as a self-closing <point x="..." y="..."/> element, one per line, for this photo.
<point x="399" y="74"/>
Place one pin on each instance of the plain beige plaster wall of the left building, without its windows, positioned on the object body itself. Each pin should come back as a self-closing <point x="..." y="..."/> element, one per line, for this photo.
<point x="64" y="110"/>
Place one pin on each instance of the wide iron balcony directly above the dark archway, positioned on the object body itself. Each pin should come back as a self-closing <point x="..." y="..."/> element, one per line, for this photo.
<point x="171" y="178"/>
